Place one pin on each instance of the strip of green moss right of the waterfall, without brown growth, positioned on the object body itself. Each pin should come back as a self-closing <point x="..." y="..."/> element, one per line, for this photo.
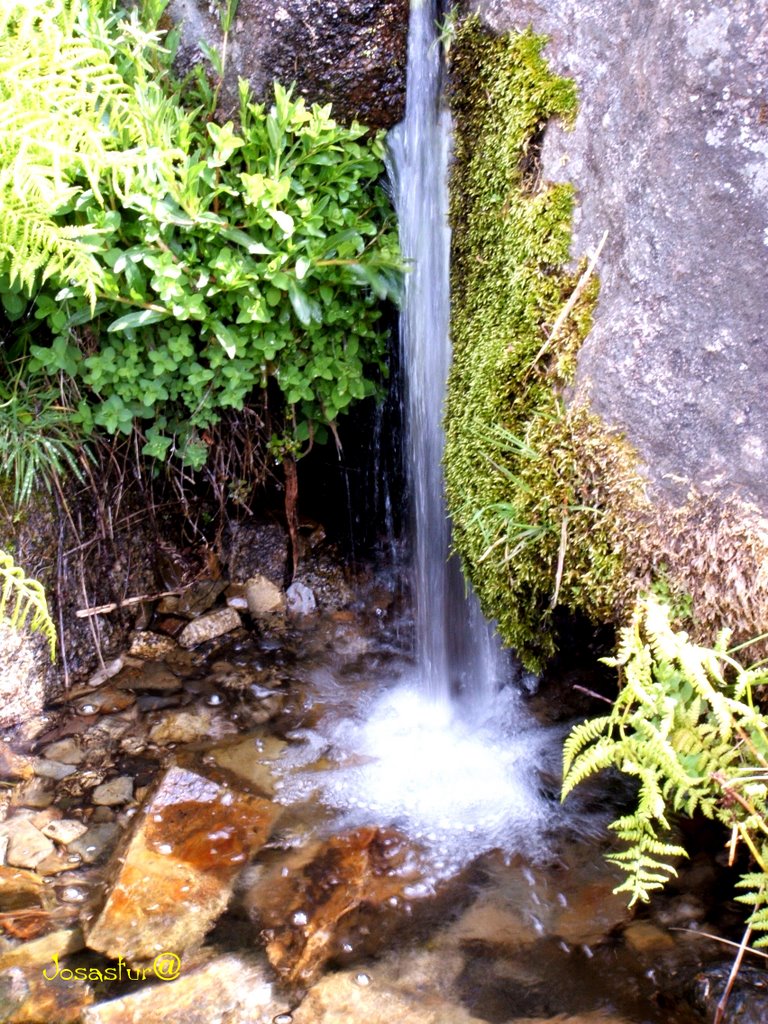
<point x="525" y="477"/>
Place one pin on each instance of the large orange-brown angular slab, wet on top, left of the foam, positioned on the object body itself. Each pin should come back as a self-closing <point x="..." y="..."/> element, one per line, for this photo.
<point x="175" y="875"/>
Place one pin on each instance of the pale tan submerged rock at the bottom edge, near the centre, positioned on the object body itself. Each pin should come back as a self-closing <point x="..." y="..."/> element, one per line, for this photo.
<point x="356" y="996"/>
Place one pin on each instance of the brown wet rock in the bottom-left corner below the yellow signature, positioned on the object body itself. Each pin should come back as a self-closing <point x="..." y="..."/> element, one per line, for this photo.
<point x="28" y="998"/>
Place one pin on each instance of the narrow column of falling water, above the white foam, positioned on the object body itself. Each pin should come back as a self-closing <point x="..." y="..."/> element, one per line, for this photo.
<point x="456" y="650"/>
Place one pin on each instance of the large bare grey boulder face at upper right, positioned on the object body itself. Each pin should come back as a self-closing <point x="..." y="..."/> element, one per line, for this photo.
<point x="670" y="156"/>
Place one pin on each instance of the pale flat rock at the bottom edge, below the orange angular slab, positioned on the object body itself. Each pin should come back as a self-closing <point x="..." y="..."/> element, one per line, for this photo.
<point x="232" y="989"/>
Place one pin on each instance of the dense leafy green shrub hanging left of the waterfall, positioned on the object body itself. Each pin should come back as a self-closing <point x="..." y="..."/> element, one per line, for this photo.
<point x="237" y="258"/>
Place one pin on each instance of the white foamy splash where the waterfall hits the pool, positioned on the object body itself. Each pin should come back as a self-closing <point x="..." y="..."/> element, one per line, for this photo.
<point x="458" y="789"/>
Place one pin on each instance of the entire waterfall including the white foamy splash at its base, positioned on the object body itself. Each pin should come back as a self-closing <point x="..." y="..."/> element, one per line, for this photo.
<point x="443" y="748"/>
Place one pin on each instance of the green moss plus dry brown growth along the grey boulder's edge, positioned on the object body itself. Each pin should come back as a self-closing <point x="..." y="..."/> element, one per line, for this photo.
<point x="550" y="506"/>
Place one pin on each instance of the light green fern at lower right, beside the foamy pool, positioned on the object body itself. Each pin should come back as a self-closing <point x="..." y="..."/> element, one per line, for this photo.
<point x="686" y="726"/>
